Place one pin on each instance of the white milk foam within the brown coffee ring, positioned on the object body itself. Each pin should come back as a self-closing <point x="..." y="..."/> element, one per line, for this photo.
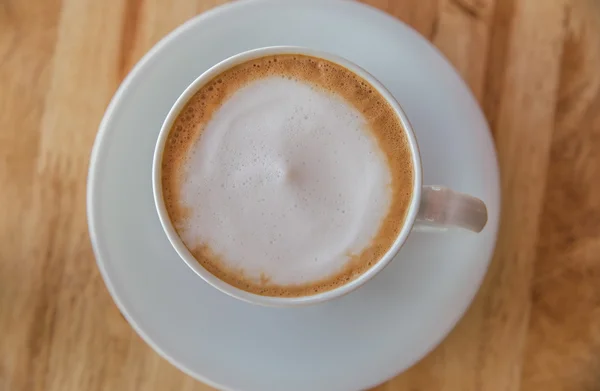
<point x="286" y="182"/>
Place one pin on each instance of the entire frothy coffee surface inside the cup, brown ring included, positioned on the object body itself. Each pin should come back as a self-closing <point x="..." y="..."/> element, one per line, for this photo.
<point x="287" y="175"/>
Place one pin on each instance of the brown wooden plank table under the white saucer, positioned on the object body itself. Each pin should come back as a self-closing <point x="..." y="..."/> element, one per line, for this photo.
<point x="534" y="65"/>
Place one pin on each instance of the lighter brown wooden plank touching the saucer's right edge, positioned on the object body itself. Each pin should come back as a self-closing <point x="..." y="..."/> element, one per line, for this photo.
<point x="523" y="131"/>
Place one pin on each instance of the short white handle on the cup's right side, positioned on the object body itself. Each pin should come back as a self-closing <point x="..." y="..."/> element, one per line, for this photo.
<point x="442" y="208"/>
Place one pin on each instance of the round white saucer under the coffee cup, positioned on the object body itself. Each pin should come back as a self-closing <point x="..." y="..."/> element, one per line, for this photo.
<point x="353" y="342"/>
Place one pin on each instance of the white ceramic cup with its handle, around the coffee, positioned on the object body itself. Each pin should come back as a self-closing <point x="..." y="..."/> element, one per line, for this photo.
<point x="431" y="207"/>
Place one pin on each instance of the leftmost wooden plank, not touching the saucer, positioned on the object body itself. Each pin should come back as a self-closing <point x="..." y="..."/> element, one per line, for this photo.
<point x="27" y="41"/>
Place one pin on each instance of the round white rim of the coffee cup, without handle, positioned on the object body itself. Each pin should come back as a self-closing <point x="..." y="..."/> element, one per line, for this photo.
<point x="275" y="301"/>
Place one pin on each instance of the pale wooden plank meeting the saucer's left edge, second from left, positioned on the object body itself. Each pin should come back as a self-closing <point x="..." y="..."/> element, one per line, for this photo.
<point x="82" y="79"/>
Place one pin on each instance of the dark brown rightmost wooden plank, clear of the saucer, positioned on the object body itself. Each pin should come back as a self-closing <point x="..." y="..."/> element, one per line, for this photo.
<point x="564" y="334"/>
